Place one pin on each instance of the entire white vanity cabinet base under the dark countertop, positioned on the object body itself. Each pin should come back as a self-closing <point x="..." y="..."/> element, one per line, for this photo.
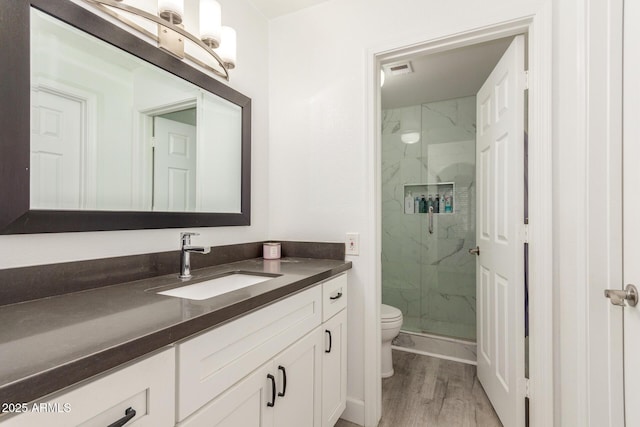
<point x="283" y="365"/>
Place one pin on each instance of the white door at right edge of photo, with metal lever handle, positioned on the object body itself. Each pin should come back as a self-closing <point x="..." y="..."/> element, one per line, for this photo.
<point x="631" y="197"/>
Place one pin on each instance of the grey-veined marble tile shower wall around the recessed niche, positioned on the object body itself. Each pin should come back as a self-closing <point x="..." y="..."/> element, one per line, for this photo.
<point x="430" y="277"/>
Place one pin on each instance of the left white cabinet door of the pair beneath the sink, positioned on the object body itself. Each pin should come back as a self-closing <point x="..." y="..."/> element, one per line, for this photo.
<point x="244" y="404"/>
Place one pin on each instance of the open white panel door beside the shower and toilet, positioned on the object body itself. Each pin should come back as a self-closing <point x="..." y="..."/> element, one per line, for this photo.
<point x="500" y="264"/>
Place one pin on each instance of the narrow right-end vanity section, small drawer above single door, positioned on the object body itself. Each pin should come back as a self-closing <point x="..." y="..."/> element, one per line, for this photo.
<point x="334" y="360"/>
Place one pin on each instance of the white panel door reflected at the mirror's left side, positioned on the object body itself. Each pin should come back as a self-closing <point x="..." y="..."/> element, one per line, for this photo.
<point x="56" y="151"/>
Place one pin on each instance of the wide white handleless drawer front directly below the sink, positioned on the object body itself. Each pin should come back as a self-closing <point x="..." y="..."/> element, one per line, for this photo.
<point x="215" y="360"/>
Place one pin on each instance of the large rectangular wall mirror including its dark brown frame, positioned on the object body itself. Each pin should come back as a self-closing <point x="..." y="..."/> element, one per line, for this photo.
<point x="80" y="141"/>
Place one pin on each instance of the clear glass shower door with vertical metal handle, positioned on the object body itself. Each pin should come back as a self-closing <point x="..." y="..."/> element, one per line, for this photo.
<point x="448" y="297"/>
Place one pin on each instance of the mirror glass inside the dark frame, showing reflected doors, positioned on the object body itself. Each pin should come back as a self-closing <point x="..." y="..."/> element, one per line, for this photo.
<point x="112" y="132"/>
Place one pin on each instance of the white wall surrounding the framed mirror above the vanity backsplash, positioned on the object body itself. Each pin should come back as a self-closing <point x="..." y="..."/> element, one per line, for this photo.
<point x="251" y="78"/>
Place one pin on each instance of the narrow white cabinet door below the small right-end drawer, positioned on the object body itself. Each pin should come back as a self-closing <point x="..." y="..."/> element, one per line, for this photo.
<point x="334" y="369"/>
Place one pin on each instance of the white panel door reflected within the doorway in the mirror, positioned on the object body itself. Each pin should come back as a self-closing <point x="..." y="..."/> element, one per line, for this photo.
<point x="174" y="182"/>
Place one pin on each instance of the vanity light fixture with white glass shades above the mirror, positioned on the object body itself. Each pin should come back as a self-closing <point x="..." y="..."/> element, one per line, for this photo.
<point x="217" y="41"/>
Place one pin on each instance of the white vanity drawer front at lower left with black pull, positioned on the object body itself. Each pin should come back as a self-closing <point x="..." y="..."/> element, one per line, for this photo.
<point x="147" y="386"/>
